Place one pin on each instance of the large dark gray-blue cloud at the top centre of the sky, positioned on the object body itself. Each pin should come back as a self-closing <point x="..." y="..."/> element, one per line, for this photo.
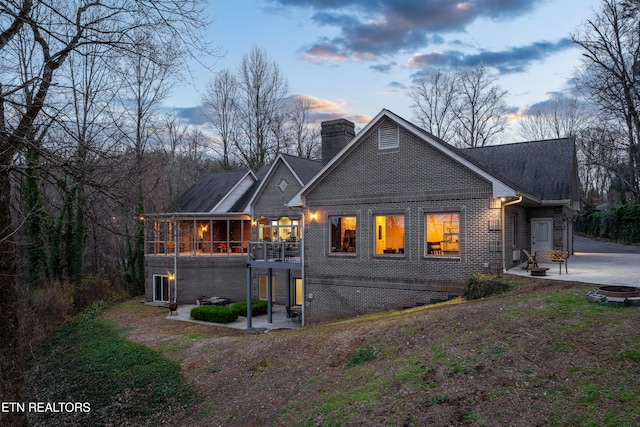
<point x="369" y="29"/>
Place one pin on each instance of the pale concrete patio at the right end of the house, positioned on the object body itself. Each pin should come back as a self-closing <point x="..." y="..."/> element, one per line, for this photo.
<point x="602" y="263"/>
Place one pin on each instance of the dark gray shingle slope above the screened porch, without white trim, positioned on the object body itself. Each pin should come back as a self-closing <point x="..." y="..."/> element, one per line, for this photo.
<point x="207" y="192"/>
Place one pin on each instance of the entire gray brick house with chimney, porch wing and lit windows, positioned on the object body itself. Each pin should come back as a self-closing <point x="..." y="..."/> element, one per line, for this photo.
<point x="390" y="217"/>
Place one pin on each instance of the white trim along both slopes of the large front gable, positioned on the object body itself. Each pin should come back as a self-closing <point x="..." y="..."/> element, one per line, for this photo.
<point x="501" y="187"/>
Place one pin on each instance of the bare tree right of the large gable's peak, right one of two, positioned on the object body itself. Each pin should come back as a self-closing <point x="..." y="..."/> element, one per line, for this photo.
<point x="479" y="109"/>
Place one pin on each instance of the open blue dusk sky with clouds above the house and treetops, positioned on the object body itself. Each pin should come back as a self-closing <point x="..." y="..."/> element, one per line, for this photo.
<point x="352" y="58"/>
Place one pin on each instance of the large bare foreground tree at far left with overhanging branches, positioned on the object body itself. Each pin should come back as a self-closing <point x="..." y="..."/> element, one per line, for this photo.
<point x="58" y="29"/>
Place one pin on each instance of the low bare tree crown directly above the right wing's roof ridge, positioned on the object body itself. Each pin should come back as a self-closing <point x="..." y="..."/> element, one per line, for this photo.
<point x="559" y="118"/>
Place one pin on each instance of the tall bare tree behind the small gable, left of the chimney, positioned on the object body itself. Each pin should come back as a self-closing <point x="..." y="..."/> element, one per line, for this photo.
<point x="261" y="94"/>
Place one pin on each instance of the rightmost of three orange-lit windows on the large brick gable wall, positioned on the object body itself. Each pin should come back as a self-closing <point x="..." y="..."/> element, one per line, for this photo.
<point x="443" y="234"/>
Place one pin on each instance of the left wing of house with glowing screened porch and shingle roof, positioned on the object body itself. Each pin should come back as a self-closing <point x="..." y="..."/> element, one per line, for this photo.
<point x="199" y="246"/>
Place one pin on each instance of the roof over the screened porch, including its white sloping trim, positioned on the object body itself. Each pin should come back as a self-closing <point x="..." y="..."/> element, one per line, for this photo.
<point x="212" y="190"/>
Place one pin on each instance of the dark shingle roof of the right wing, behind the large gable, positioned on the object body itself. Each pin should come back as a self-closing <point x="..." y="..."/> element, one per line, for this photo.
<point x="544" y="168"/>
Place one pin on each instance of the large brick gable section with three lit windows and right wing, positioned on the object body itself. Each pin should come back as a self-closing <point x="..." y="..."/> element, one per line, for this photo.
<point x="399" y="217"/>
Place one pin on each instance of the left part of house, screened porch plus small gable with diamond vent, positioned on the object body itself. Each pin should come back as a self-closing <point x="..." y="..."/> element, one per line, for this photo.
<point x="201" y="244"/>
